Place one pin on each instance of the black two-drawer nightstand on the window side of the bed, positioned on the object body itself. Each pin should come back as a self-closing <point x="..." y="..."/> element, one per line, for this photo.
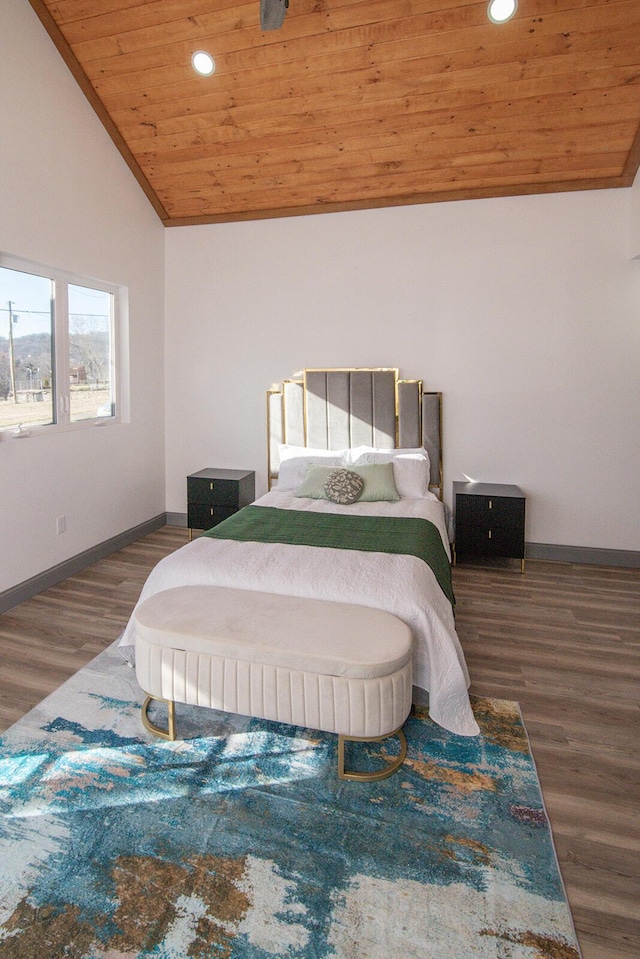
<point x="214" y="495"/>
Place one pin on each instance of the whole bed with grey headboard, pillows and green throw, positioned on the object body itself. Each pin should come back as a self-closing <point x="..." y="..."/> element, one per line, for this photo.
<point x="299" y="540"/>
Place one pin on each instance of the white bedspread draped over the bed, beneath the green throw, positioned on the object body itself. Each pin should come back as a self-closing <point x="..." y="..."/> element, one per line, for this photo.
<point x="402" y="585"/>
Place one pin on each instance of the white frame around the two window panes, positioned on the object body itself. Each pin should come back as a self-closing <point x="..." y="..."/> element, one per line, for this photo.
<point x="60" y="367"/>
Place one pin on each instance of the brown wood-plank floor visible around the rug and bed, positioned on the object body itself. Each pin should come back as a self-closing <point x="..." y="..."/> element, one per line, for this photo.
<point x="563" y="640"/>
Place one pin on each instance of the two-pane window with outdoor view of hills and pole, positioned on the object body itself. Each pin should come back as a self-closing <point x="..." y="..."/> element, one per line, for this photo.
<point x="58" y="348"/>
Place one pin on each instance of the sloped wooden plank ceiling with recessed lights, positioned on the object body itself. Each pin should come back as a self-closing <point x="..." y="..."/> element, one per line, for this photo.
<point x="357" y="104"/>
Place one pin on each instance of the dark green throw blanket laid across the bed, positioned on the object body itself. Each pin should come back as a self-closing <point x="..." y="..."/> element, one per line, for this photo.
<point x="379" y="534"/>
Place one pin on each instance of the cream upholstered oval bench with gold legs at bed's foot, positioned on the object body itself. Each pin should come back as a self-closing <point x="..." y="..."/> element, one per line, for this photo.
<point x="330" y="666"/>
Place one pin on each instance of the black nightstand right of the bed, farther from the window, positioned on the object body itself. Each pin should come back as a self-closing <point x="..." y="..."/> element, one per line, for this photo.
<point x="489" y="521"/>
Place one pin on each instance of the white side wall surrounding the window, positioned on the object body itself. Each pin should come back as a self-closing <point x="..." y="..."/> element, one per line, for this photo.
<point x="68" y="200"/>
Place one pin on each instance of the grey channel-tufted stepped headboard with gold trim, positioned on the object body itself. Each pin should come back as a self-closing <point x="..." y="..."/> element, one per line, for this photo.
<point x="343" y="408"/>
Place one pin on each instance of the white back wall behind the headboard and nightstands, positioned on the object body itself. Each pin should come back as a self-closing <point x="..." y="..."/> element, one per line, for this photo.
<point x="523" y="311"/>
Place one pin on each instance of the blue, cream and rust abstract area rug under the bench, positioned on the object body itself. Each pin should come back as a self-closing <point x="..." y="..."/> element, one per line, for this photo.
<point x="240" y="842"/>
